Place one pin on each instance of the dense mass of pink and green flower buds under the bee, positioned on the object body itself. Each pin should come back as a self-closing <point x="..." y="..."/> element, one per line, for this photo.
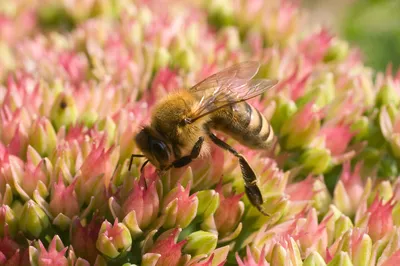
<point x="78" y="79"/>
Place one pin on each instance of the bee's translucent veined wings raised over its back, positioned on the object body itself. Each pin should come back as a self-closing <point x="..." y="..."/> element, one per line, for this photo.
<point x="227" y="87"/>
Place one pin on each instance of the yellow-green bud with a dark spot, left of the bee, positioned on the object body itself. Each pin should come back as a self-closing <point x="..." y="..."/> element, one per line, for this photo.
<point x="64" y="111"/>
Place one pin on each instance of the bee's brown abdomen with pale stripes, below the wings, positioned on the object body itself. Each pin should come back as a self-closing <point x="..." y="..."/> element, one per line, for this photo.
<point x="245" y="124"/>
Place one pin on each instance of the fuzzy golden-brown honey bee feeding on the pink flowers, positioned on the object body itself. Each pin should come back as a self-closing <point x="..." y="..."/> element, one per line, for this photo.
<point x="182" y="123"/>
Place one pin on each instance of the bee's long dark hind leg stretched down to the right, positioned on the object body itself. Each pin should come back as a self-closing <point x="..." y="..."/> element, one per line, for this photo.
<point x="249" y="177"/>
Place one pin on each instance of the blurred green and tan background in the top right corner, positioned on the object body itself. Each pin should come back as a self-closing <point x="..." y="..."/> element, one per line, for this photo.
<point x="372" y="25"/>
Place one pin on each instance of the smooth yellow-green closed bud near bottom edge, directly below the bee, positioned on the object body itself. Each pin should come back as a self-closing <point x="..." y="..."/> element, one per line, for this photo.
<point x="200" y="242"/>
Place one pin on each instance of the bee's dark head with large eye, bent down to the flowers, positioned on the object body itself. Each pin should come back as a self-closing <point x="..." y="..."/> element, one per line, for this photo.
<point x="155" y="149"/>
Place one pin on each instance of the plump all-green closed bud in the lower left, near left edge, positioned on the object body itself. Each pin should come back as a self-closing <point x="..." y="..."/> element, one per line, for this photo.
<point x="33" y="219"/>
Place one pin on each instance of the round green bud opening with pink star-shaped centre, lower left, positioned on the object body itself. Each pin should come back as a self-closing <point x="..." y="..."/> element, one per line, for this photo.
<point x="113" y="239"/>
